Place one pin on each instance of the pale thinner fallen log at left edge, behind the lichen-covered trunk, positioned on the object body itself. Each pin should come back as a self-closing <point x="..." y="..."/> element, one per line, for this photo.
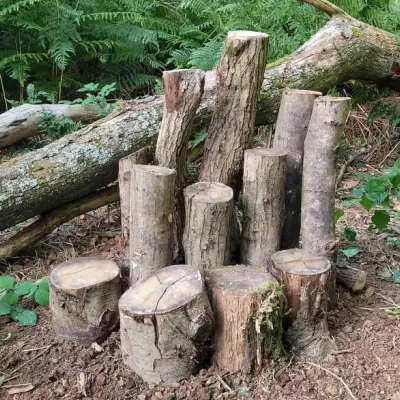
<point x="22" y="122"/>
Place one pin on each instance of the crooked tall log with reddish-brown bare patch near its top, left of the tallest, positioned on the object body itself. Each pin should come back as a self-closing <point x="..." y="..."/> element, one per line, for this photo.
<point x="183" y="91"/>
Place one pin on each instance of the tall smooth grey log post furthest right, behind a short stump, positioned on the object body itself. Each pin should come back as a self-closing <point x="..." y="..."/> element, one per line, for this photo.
<point x="326" y="127"/>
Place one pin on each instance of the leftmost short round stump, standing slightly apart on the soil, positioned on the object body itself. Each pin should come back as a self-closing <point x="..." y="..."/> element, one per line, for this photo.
<point x="84" y="295"/>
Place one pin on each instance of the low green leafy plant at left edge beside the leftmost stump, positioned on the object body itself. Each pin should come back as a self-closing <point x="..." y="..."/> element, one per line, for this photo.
<point x="12" y="292"/>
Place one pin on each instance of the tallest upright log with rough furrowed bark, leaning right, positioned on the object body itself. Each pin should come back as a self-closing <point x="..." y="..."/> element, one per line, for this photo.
<point x="239" y="78"/>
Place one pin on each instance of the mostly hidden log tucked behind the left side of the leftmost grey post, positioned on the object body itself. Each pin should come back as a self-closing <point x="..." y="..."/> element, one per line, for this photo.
<point x="143" y="156"/>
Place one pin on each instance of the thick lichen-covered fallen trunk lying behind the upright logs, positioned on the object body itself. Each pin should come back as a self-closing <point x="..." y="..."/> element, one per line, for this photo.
<point x="87" y="159"/>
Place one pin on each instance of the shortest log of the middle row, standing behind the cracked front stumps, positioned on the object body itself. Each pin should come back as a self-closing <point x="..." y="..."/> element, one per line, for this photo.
<point x="209" y="212"/>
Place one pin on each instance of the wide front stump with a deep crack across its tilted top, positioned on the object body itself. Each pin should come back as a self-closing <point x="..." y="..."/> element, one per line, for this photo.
<point x="166" y="320"/>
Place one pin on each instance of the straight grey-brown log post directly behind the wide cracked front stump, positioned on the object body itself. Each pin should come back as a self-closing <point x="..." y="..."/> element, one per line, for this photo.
<point x="151" y="219"/>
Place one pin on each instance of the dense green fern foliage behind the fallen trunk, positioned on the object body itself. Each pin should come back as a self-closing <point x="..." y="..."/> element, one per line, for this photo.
<point x="59" y="45"/>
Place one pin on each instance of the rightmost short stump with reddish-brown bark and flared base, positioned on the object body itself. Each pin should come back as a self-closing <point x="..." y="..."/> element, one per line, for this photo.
<point x="306" y="280"/>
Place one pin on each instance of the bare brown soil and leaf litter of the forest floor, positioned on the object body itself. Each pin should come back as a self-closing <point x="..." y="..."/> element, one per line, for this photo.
<point x="367" y="365"/>
